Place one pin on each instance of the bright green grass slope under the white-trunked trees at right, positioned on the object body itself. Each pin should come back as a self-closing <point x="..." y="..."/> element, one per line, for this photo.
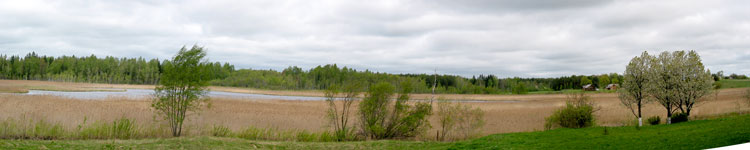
<point x="699" y="134"/>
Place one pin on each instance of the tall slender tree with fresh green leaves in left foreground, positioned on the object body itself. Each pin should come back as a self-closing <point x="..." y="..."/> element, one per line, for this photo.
<point x="182" y="87"/>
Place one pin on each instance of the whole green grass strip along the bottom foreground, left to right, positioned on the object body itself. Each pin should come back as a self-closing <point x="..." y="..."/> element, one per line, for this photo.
<point x="699" y="134"/>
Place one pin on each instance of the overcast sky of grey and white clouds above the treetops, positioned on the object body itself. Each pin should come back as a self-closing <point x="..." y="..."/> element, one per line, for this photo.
<point x="544" y="38"/>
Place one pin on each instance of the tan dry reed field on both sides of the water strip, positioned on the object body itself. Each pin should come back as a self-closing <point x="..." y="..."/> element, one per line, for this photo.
<point x="524" y="113"/>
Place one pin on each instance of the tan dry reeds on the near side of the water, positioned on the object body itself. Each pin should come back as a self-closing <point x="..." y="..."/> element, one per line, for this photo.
<point x="307" y="118"/>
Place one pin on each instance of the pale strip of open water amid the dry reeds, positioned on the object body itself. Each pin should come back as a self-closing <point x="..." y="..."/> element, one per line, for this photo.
<point x="144" y="93"/>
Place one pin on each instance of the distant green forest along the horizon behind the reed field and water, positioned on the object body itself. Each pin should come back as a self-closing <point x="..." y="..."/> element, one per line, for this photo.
<point x="110" y="69"/>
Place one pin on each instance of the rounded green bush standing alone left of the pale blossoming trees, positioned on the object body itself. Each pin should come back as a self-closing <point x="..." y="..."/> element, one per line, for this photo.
<point x="577" y="113"/>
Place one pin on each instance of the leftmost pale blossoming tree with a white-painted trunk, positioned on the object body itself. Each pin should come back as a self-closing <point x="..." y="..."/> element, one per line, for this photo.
<point x="633" y="92"/>
